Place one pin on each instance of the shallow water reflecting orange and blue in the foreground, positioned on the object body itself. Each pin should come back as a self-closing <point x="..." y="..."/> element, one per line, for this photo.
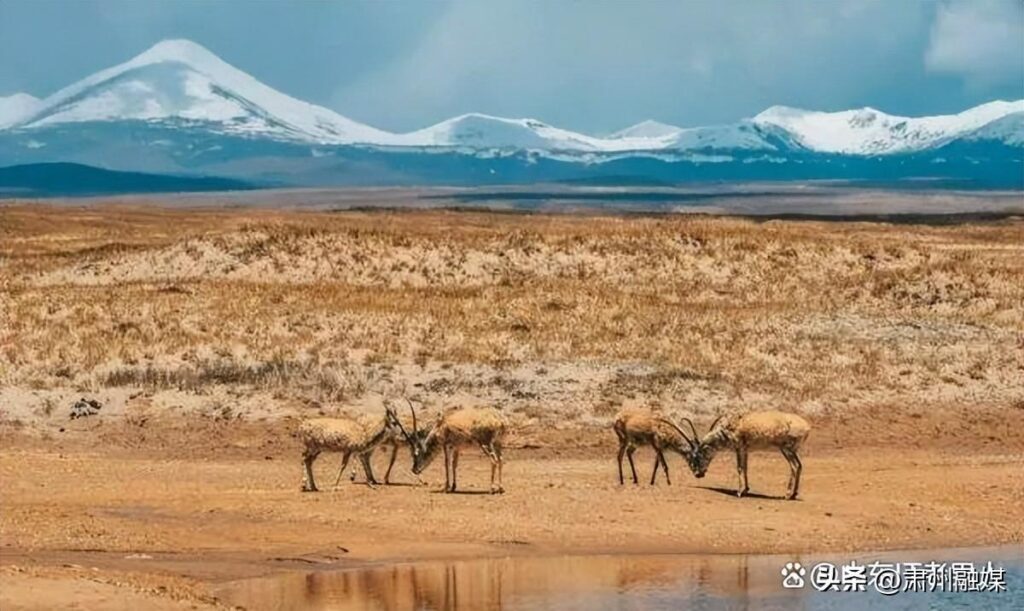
<point x="614" y="583"/>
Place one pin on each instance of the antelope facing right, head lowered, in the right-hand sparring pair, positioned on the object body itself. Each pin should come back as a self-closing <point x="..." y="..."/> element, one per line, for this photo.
<point x="636" y="427"/>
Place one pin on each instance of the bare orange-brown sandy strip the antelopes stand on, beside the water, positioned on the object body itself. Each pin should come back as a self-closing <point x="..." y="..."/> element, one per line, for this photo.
<point x="109" y="527"/>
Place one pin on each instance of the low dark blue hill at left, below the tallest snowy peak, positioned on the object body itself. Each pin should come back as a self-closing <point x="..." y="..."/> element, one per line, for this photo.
<point x="57" y="180"/>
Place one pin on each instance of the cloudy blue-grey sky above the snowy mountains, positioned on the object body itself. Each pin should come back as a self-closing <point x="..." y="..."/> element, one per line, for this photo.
<point x="594" y="66"/>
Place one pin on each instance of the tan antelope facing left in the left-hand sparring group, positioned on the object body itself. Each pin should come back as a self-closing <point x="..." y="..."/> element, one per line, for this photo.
<point x="455" y="430"/>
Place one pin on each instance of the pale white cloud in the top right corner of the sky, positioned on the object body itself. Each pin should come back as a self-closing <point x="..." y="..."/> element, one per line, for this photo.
<point x="983" y="41"/>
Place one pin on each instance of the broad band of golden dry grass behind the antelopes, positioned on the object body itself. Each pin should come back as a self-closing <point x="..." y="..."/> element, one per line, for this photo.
<point x="541" y="315"/>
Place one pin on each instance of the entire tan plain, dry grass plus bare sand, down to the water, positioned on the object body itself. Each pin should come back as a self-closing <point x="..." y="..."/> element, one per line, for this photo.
<point x="207" y="335"/>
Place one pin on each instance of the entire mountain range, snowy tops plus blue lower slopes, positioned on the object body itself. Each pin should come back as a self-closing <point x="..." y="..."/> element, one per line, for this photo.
<point x="180" y="109"/>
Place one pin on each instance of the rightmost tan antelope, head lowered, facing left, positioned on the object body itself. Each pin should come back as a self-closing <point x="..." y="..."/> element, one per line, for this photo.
<point x="754" y="431"/>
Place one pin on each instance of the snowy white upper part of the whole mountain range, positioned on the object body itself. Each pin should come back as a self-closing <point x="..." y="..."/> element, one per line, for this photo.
<point x="179" y="82"/>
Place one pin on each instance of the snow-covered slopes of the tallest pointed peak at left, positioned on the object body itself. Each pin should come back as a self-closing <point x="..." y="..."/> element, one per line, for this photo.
<point x="181" y="80"/>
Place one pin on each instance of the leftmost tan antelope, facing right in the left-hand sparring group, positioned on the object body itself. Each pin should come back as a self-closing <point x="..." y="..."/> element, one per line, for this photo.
<point x="345" y="435"/>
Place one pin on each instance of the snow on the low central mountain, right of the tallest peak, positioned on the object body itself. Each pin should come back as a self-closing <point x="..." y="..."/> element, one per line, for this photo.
<point x="485" y="132"/>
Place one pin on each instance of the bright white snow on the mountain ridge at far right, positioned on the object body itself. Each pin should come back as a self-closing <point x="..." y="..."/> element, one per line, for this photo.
<point x="868" y="132"/>
